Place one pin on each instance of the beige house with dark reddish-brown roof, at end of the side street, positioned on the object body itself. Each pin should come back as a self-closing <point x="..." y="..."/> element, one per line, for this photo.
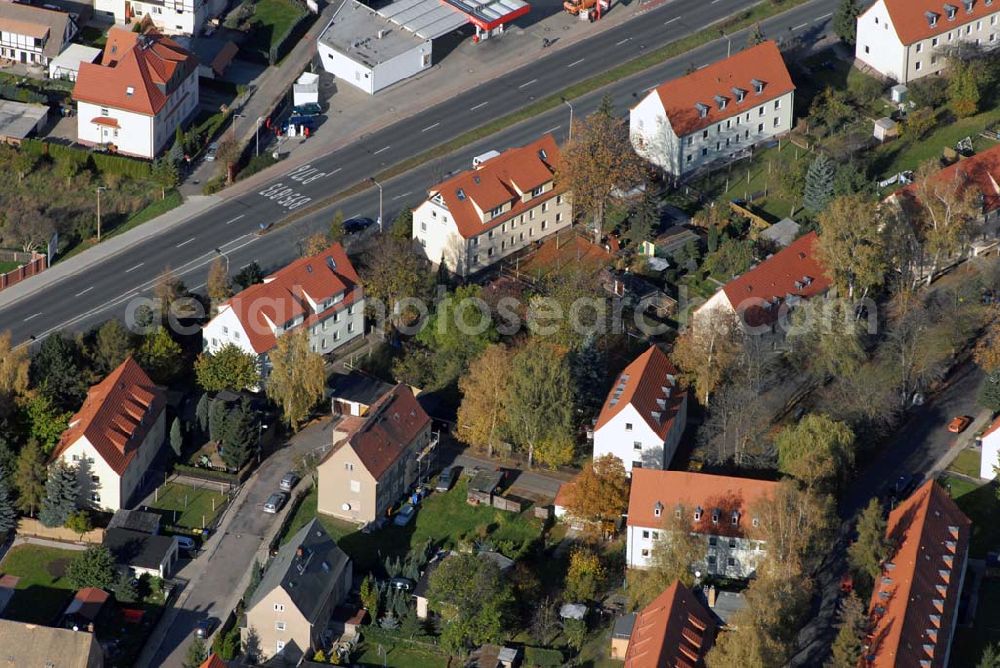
<point x="376" y="458"/>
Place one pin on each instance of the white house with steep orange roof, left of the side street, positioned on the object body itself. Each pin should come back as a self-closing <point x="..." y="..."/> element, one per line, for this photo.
<point x="115" y="436"/>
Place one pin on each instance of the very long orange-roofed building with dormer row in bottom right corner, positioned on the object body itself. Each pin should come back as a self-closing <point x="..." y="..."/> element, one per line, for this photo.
<point x="914" y="606"/>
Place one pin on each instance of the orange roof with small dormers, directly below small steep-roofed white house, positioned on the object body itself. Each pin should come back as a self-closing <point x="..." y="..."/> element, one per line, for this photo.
<point x="717" y="496"/>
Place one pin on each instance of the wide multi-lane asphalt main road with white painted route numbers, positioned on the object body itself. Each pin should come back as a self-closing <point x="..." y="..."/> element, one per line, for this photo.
<point x="106" y="289"/>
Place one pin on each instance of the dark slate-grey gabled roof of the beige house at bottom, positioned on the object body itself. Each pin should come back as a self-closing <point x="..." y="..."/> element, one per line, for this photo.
<point x="307" y="568"/>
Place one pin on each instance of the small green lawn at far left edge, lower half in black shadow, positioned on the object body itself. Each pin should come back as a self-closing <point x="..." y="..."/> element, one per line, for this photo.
<point x="43" y="591"/>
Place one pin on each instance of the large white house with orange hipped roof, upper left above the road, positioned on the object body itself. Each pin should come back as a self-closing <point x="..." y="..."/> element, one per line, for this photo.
<point x="133" y="101"/>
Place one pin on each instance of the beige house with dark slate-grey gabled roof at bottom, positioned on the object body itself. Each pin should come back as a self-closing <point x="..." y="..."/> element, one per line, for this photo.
<point x="297" y="594"/>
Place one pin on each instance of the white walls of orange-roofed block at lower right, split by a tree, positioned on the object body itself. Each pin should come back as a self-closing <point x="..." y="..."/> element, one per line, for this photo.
<point x="730" y="557"/>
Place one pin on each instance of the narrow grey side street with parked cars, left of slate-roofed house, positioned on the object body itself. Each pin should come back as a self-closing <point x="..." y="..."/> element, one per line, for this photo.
<point x="214" y="580"/>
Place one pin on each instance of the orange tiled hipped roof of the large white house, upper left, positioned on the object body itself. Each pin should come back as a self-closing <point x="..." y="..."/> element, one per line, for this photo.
<point x="137" y="72"/>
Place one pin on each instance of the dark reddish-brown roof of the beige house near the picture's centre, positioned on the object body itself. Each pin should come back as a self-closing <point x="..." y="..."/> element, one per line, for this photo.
<point x="386" y="431"/>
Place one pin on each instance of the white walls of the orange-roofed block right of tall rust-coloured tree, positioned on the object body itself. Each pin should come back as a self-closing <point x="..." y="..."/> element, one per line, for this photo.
<point x="654" y="138"/>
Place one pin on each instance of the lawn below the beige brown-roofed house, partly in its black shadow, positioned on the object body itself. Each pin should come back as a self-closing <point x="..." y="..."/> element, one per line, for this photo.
<point x="445" y="519"/>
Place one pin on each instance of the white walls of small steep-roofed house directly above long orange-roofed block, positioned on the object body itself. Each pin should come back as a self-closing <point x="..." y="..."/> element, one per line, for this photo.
<point x="629" y="437"/>
